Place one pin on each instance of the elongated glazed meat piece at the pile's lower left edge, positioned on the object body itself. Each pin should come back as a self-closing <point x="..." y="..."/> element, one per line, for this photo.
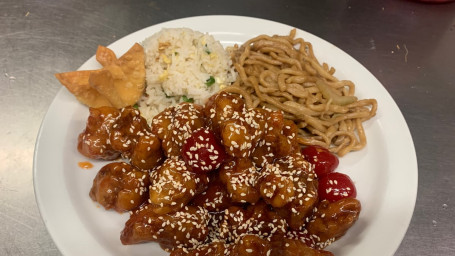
<point x="187" y="227"/>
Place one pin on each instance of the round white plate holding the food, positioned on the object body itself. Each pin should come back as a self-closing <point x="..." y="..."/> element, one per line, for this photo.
<point x="385" y="172"/>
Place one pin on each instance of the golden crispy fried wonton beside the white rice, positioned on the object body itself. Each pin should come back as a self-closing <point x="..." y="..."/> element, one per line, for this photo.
<point x="119" y="83"/>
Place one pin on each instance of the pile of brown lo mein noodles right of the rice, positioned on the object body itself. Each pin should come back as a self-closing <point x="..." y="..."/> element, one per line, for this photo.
<point x="281" y="72"/>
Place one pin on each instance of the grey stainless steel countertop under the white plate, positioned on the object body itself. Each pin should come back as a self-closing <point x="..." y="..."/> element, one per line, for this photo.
<point x="407" y="45"/>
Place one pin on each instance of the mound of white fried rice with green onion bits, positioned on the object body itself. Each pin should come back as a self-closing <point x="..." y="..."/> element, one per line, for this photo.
<point x="182" y="65"/>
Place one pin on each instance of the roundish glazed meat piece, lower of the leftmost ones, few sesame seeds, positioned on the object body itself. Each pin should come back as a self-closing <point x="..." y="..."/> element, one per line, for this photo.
<point x="120" y="186"/>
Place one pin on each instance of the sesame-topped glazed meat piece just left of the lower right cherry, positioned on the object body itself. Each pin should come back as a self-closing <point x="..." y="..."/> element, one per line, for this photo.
<point x="289" y="185"/>
